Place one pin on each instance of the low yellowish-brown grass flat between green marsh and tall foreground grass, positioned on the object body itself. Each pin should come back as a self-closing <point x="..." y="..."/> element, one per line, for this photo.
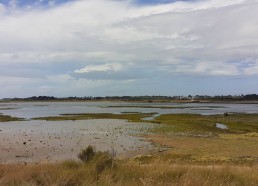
<point x="235" y="148"/>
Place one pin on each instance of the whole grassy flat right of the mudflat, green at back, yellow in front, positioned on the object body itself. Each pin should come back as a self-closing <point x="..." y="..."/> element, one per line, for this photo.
<point x="193" y="138"/>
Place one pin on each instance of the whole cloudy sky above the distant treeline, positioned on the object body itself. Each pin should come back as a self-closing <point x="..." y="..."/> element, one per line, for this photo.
<point x="128" y="47"/>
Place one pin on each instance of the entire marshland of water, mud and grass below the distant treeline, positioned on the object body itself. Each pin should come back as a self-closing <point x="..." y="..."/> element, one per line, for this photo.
<point x="134" y="143"/>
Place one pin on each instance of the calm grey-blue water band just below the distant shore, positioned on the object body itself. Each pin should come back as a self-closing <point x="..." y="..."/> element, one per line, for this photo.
<point x="31" y="110"/>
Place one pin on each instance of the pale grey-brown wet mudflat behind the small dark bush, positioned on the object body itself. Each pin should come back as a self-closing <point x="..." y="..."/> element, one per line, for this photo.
<point x="38" y="141"/>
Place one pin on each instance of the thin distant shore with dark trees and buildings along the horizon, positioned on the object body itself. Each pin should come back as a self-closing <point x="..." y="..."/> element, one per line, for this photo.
<point x="246" y="99"/>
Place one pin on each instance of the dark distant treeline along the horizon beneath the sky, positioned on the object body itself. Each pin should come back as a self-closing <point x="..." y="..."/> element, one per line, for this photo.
<point x="196" y="98"/>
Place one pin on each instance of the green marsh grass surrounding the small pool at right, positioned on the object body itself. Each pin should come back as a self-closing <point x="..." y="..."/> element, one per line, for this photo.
<point x="198" y="124"/>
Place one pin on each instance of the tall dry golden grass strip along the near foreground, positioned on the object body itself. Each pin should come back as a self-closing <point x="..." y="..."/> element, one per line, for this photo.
<point x="128" y="173"/>
